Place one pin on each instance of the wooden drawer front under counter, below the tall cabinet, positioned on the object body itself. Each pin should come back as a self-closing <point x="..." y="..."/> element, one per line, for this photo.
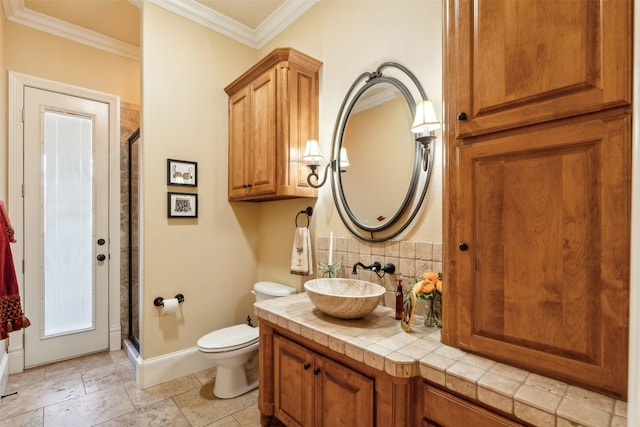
<point x="442" y="409"/>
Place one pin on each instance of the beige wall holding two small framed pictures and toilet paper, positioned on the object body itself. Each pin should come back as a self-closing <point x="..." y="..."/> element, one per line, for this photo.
<point x="212" y="260"/>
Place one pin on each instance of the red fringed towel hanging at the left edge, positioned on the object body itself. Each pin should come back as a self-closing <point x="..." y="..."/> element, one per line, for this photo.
<point x="11" y="316"/>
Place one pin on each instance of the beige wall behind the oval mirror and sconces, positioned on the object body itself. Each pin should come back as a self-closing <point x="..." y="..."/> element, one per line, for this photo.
<point x="351" y="37"/>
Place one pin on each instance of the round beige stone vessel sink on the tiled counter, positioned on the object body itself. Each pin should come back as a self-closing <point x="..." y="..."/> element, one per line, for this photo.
<point x="344" y="298"/>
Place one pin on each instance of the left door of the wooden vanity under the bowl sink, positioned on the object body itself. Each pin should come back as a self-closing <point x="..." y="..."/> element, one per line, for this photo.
<point x="293" y="383"/>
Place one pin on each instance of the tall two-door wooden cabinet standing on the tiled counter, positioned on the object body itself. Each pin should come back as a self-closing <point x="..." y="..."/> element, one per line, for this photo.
<point x="537" y="205"/>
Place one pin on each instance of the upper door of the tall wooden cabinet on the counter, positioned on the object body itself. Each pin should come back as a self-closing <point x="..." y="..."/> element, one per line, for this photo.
<point x="524" y="62"/>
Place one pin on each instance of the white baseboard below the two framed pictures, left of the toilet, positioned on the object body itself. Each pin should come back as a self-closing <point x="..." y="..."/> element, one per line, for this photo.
<point x="167" y="367"/>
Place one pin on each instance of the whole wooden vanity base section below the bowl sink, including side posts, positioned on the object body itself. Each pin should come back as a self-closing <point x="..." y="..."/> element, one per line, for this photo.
<point x="306" y="384"/>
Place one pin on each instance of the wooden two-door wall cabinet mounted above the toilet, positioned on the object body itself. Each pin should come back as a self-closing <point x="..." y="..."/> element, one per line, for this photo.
<point x="273" y="111"/>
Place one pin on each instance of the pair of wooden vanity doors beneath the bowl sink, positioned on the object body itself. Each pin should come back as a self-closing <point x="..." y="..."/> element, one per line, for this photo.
<point x="312" y="390"/>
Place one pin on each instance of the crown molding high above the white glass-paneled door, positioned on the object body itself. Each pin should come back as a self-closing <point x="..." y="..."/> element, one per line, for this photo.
<point x="18" y="13"/>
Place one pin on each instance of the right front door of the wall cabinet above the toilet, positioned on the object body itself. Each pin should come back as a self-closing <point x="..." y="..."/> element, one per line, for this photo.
<point x="262" y="151"/>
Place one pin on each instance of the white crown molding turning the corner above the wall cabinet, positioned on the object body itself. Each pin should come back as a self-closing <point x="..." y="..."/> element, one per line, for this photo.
<point x="272" y="26"/>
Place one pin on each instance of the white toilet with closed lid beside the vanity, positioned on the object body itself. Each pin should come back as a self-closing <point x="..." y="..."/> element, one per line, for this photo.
<point x="236" y="346"/>
